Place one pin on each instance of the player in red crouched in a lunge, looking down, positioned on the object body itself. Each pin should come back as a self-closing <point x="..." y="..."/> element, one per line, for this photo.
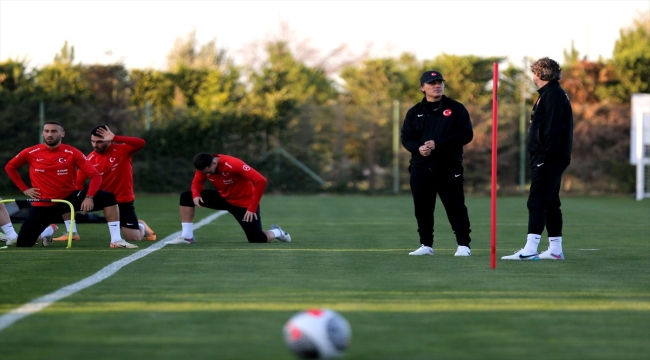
<point x="239" y="191"/>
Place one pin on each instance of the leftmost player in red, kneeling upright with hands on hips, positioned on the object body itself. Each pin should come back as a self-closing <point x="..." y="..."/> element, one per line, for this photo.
<point x="52" y="171"/>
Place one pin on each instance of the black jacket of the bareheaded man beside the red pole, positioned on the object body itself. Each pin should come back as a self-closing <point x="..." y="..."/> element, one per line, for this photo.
<point x="551" y="130"/>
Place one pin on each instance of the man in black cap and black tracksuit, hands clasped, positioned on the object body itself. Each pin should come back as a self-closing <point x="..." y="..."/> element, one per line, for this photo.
<point x="435" y="131"/>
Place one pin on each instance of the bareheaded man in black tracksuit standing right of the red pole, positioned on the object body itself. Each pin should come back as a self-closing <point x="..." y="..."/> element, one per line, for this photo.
<point x="549" y="145"/>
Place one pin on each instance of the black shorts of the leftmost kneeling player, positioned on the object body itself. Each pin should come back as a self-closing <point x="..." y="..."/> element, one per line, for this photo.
<point x="39" y="217"/>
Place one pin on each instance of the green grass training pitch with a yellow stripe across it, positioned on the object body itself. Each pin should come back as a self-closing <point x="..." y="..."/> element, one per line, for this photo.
<point x="223" y="298"/>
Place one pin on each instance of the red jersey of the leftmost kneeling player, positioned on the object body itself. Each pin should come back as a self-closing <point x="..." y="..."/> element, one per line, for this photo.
<point x="53" y="171"/>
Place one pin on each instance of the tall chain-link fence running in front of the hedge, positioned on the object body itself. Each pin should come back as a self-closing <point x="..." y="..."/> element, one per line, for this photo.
<point x="334" y="148"/>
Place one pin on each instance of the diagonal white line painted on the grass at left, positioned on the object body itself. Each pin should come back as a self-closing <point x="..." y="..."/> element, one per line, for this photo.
<point x="42" y="302"/>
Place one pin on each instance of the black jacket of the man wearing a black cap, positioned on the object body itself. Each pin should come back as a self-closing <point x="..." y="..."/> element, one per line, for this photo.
<point x="448" y="125"/>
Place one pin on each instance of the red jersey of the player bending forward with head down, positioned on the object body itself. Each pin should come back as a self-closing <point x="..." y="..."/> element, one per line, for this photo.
<point x="238" y="183"/>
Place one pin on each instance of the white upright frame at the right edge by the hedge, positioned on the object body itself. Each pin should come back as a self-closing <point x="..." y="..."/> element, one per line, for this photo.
<point x="640" y="143"/>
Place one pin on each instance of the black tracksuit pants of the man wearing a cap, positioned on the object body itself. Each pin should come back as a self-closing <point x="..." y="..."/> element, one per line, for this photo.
<point x="448" y="184"/>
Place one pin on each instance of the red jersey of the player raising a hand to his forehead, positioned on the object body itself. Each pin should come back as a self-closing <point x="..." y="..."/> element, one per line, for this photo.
<point x="116" y="167"/>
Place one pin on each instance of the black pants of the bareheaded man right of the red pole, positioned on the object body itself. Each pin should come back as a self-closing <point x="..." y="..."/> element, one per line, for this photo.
<point x="544" y="199"/>
